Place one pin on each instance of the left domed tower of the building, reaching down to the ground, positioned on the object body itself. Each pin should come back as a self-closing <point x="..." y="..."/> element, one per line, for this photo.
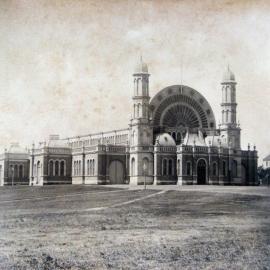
<point x="141" y="134"/>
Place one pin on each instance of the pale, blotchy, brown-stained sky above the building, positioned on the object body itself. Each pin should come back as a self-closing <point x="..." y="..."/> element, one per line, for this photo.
<point x="66" y="66"/>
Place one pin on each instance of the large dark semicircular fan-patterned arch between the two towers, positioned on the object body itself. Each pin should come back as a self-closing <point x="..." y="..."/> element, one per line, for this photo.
<point x="178" y="108"/>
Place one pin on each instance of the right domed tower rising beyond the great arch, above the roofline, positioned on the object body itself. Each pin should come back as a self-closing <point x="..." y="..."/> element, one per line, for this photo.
<point x="229" y="129"/>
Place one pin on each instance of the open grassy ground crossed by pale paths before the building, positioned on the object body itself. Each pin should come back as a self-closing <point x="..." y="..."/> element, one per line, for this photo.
<point x="95" y="227"/>
